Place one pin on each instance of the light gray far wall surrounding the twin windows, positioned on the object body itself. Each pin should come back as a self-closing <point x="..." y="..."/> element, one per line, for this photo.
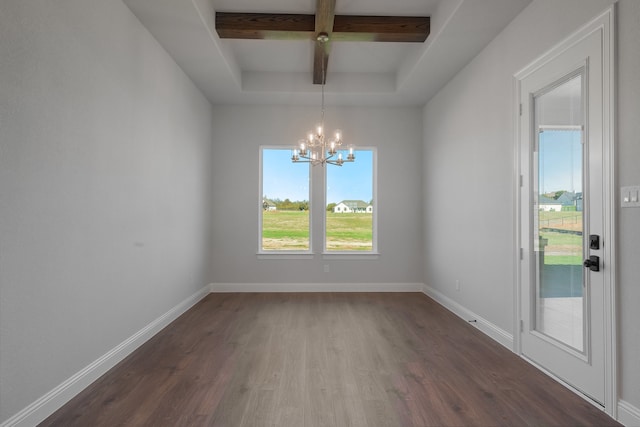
<point x="239" y="132"/>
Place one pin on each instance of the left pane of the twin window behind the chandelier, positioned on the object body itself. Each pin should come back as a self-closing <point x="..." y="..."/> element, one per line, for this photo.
<point x="285" y="202"/>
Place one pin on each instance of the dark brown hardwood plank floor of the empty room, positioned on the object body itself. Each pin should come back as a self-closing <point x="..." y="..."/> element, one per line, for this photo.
<point x="329" y="359"/>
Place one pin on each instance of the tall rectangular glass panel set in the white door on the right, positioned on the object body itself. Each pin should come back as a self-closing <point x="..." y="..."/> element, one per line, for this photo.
<point x="559" y="214"/>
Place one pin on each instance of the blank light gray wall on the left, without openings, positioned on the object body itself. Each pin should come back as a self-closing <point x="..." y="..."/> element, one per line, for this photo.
<point x="105" y="194"/>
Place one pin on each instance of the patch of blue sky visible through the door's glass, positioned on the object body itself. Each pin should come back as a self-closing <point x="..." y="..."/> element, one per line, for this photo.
<point x="560" y="166"/>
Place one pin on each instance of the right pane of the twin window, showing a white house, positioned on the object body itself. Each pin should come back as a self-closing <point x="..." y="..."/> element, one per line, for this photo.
<point x="349" y="218"/>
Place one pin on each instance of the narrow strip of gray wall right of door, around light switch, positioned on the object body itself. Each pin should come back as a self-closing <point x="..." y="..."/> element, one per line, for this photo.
<point x="628" y="145"/>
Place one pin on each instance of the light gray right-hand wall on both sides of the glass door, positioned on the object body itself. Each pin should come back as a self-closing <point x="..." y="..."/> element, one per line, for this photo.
<point x="469" y="163"/>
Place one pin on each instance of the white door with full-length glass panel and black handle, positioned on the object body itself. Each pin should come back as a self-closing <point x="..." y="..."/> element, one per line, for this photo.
<point x="564" y="232"/>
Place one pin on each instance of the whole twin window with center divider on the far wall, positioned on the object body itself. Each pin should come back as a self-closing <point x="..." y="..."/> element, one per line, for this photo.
<point x="344" y="212"/>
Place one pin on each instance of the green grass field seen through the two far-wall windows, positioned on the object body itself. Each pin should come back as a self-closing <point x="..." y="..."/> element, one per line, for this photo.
<point x="289" y="230"/>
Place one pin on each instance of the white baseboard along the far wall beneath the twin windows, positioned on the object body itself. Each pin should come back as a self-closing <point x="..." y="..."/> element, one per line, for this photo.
<point x="315" y="287"/>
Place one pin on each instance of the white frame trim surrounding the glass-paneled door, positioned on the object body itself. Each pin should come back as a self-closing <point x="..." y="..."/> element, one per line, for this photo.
<point x="604" y="24"/>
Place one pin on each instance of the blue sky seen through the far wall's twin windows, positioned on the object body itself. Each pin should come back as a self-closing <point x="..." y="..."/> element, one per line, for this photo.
<point x="282" y="179"/>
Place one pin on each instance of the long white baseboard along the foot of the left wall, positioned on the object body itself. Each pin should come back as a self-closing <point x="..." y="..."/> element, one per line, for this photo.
<point x="42" y="408"/>
